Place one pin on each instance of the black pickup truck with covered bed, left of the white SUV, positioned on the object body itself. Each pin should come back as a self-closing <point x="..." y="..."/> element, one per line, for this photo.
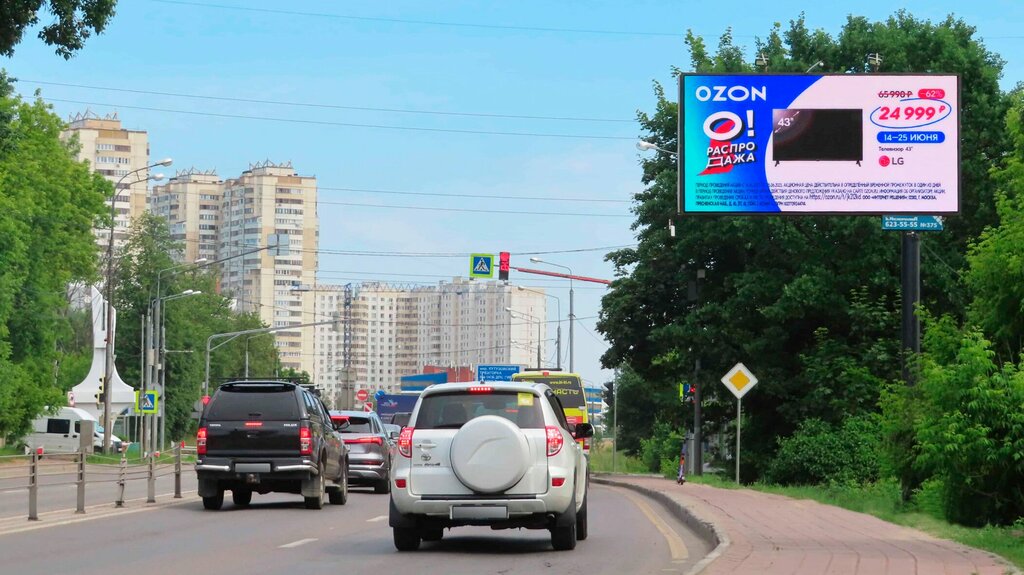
<point x="270" y="437"/>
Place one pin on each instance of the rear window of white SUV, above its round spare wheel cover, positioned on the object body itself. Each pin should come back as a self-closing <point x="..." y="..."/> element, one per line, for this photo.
<point x="452" y="411"/>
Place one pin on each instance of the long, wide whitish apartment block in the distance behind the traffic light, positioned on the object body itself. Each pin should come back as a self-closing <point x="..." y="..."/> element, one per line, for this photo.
<point x="397" y="331"/>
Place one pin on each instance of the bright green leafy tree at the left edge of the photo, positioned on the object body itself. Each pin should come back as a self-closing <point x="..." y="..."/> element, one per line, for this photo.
<point x="50" y="204"/>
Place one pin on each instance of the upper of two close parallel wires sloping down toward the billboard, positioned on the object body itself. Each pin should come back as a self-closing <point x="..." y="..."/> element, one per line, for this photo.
<point x="326" y="106"/>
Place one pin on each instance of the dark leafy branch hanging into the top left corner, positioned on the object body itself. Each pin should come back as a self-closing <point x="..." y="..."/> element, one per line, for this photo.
<point x="74" y="22"/>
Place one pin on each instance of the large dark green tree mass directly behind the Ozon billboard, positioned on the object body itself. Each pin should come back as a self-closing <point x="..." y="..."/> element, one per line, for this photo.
<point x="810" y="304"/>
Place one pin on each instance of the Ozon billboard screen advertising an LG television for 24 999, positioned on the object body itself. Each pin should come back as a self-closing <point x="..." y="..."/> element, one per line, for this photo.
<point x="820" y="144"/>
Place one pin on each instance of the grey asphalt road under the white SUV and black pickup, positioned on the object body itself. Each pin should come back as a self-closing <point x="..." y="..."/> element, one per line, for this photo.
<point x="628" y="535"/>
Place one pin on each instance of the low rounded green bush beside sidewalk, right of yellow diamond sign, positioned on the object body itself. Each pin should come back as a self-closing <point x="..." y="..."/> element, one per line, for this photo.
<point x="821" y="454"/>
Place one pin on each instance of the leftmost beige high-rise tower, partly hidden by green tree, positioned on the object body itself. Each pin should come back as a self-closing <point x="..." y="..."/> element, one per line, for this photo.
<point x="114" y="152"/>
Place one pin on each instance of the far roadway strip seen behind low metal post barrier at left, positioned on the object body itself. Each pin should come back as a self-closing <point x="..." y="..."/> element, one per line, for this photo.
<point x="58" y="491"/>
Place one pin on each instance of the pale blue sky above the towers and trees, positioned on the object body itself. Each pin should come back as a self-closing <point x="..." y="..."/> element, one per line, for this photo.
<point x="365" y="61"/>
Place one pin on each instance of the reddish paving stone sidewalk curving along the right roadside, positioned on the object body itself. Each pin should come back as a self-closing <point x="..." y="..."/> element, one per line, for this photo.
<point x="774" y="535"/>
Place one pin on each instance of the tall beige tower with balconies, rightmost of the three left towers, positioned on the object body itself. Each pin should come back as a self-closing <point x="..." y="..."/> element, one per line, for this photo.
<point x="271" y="204"/>
